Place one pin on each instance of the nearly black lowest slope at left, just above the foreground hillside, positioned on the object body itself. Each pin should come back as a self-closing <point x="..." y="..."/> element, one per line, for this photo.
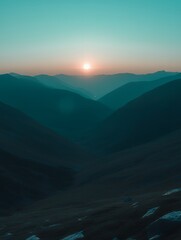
<point x="23" y="181"/>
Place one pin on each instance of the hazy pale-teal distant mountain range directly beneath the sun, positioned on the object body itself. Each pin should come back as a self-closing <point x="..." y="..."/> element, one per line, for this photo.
<point x="95" y="87"/>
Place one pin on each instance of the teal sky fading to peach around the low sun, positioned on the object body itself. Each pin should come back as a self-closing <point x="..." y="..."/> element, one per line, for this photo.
<point x="59" y="36"/>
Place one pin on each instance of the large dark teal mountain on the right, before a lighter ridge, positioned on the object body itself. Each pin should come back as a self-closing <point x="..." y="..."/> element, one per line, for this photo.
<point x="146" y="118"/>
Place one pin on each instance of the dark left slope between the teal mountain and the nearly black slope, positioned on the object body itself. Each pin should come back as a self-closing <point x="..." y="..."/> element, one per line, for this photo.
<point x="23" y="137"/>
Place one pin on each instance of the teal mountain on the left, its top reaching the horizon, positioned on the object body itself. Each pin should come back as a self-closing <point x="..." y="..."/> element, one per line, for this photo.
<point x="65" y="112"/>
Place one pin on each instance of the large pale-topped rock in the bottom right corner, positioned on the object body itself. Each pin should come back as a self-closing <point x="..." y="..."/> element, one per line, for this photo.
<point x="165" y="225"/>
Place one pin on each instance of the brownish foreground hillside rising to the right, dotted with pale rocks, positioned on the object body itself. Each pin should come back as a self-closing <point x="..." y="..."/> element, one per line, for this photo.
<point x="114" y="199"/>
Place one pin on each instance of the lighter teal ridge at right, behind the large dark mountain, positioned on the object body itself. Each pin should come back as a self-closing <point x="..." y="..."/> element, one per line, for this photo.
<point x="121" y="96"/>
